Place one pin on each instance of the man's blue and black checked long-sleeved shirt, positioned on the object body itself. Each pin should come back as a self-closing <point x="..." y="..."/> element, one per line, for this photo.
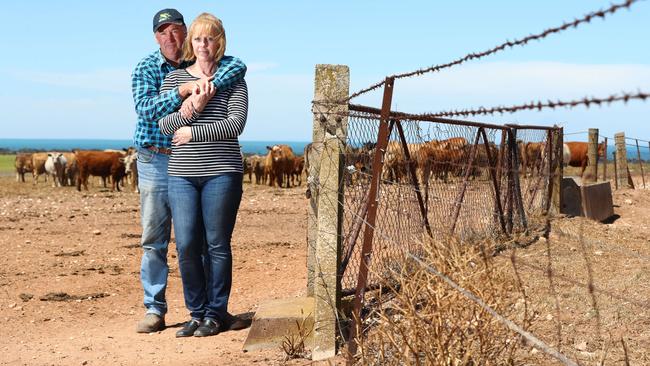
<point x="150" y="106"/>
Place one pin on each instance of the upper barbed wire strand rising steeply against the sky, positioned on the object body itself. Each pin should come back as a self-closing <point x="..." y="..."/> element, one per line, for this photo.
<point x="508" y="44"/>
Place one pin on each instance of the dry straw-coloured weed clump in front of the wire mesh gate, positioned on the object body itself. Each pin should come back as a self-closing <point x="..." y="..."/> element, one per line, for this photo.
<point x="423" y="321"/>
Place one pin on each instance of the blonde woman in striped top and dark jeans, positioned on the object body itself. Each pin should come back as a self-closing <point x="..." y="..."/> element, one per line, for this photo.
<point x="205" y="178"/>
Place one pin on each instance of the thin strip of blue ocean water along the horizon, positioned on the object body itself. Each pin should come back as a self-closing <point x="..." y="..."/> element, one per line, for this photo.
<point x="15" y="145"/>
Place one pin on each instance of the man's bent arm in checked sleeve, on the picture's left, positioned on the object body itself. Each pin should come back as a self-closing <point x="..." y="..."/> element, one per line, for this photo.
<point x="150" y="105"/>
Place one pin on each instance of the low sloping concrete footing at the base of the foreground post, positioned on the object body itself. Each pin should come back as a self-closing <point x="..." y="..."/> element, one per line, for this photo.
<point x="276" y="319"/>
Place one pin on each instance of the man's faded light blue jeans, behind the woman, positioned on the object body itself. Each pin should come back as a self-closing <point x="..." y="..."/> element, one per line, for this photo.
<point x="155" y="217"/>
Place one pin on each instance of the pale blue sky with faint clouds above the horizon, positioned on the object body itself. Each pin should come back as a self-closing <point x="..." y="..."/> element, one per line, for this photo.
<point x="67" y="64"/>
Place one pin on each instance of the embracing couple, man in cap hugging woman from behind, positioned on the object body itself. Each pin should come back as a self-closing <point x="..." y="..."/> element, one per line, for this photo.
<point x="191" y="102"/>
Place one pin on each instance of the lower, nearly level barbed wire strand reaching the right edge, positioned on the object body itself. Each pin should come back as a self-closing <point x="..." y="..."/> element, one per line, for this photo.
<point x="539" y="105"/>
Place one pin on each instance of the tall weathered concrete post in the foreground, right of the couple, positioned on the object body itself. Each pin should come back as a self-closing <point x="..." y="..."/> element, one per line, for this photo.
<point x="325" y="207"/>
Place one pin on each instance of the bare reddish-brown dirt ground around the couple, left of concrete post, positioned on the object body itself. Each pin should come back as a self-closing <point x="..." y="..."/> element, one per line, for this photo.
<point x="86" y="244"/>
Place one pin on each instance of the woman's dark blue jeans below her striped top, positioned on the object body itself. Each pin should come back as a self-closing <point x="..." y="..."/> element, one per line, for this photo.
<point x="205" y="207"/>
